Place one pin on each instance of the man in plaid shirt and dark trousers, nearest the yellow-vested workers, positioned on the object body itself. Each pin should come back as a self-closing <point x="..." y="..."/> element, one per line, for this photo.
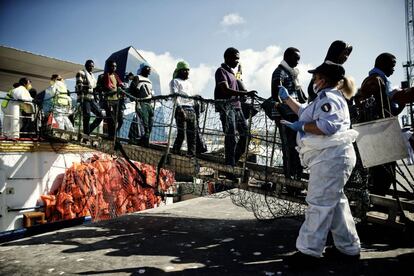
<point x="85" y="88"/>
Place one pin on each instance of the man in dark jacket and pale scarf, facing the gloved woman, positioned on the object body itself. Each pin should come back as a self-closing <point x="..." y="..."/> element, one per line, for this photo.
<point x="287" y="75"/>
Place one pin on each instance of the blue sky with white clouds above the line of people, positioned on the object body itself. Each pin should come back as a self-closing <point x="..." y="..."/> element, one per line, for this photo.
<point x="166" y="31"/>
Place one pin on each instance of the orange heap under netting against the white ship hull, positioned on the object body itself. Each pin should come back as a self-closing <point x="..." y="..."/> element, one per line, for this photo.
<point x="104" y="187"/>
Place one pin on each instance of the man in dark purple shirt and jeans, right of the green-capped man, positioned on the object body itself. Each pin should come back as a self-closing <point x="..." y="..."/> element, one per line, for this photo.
<point x="227" y="92"/>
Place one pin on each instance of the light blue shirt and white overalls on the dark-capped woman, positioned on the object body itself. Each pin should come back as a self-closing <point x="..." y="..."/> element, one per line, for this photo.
<point x="330" y="159"/>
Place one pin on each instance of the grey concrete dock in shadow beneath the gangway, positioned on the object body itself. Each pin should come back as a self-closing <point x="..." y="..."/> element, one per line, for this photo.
<point x="201" y="236"/>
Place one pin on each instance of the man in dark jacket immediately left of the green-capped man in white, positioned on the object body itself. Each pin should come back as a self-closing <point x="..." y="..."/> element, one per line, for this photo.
<point x="141" y="89"/>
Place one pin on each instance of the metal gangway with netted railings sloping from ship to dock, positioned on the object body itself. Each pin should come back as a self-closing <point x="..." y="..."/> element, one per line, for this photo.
<point x="260" y="183"/>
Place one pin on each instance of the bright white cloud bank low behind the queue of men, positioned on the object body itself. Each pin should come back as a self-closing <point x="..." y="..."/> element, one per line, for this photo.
<point x="257" y="66"/>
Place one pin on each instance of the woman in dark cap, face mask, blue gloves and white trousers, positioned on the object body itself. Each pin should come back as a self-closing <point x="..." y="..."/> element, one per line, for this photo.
<point x="325" y="146"/>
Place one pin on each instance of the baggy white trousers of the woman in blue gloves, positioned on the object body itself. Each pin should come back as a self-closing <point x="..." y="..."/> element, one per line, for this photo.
<point x="328" y="207"/>
